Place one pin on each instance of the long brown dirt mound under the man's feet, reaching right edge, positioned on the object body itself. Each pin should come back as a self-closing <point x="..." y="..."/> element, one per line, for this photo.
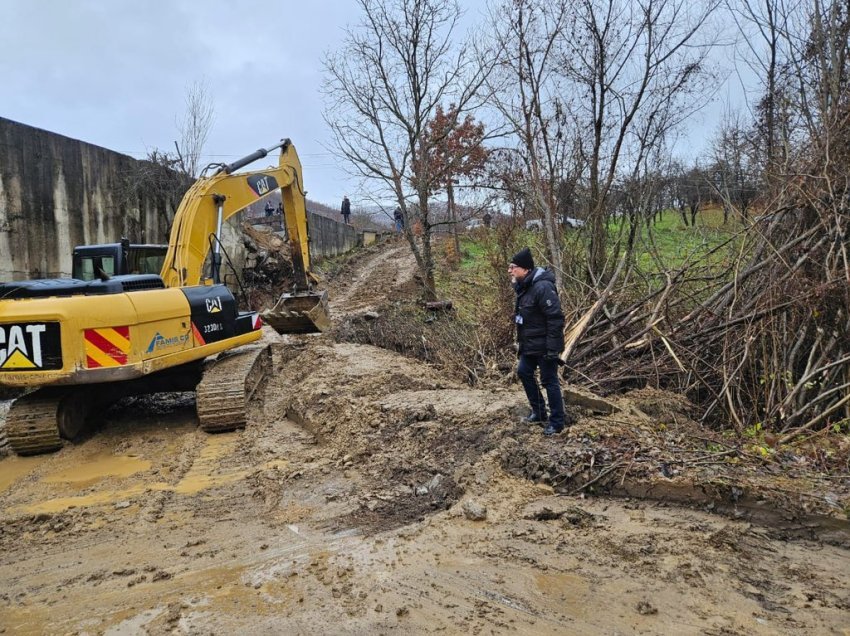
<point x="404" y="424"/>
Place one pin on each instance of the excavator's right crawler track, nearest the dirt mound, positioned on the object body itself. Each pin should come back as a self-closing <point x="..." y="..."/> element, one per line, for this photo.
<point x="228" y="385"/>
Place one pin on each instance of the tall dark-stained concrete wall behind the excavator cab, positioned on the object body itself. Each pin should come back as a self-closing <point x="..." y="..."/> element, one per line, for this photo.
<point x="57" y="192"/>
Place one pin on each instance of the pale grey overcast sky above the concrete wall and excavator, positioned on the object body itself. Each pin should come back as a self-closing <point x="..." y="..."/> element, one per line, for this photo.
<point x="114" y="73"/>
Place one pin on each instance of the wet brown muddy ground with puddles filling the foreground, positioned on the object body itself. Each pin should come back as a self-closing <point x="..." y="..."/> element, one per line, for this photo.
<point x="371" y="494"/>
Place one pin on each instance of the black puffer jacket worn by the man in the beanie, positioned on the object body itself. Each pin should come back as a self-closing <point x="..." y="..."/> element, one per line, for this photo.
<point x="539" y="319"/>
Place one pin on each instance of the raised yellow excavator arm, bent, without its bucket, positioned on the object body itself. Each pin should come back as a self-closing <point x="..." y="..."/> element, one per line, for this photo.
<point x="213" y="200"/>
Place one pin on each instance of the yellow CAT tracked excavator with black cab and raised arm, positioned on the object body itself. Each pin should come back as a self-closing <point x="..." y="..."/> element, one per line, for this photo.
<point x="84" y="344"/>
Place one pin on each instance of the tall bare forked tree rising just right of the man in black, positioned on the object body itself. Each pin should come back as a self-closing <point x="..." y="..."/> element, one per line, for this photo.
<point x="636" y="64"/>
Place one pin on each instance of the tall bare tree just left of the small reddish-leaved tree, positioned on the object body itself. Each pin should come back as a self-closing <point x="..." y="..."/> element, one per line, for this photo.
<point x="384" y="85"/>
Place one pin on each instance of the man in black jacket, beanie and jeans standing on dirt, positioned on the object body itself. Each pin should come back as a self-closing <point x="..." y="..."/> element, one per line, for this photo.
<point x="540" y="335"/>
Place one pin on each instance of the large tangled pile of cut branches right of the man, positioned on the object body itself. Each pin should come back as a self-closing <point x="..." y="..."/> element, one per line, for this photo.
<point x="765" y="345"/>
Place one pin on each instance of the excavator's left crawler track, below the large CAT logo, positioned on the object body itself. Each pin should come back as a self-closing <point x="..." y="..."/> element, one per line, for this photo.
<point x="32" y="423"/>
